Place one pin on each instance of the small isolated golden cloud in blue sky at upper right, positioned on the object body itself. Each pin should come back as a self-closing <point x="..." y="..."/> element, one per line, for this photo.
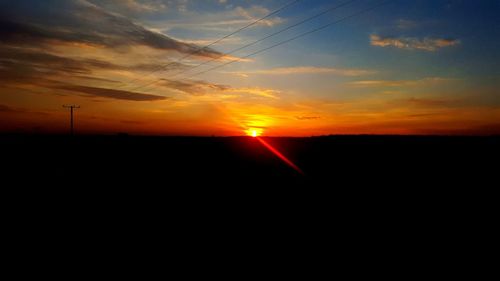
<point x="411" y="43"/>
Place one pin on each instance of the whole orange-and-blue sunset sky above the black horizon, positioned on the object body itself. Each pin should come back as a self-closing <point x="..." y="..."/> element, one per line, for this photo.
<point x="405" y="67"/>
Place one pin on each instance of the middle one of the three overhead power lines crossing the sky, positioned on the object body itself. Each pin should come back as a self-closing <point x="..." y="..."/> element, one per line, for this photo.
<point x="255" y="42"/>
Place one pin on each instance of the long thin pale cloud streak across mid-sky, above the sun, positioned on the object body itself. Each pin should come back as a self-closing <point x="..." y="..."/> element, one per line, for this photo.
<point x="307" y="70"/>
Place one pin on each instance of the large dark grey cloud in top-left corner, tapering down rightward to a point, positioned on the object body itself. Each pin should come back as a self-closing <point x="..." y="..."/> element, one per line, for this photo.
<point x="36" y="23"/>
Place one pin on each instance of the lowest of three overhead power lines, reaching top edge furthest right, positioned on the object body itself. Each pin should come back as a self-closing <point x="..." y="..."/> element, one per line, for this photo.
<point x="295" y="37"/>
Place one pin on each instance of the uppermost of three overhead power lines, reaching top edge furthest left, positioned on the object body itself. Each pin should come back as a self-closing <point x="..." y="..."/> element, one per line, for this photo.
<point x="163" y="67"/>
